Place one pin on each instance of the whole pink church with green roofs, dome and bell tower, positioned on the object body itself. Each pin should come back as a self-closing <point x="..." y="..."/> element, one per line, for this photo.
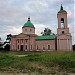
<point x="29" y="41"/>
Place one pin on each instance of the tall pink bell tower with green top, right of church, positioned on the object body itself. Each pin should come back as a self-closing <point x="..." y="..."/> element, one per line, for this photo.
<point x="64" y="38"/>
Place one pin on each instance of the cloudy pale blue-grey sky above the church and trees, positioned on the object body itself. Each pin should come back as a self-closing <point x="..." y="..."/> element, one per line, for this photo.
<point x="43" y="14"/>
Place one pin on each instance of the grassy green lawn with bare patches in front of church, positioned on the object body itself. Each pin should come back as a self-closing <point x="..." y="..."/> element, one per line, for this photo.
<point x="44" y="63"/>
